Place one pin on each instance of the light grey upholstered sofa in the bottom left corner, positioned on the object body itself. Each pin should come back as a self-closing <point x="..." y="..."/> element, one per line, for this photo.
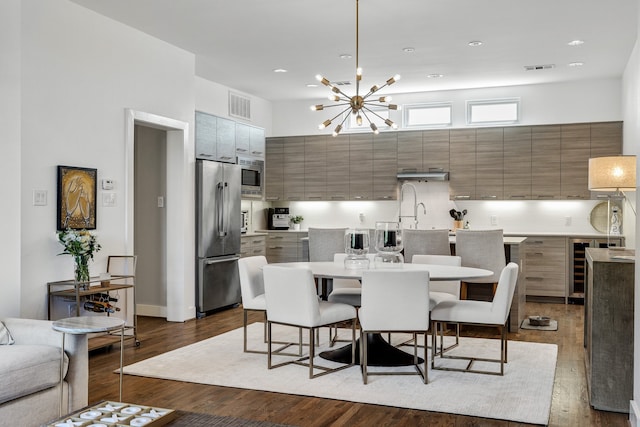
<point x="30" y="373"/>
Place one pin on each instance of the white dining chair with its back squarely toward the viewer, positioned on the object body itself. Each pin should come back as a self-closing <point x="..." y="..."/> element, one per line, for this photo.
<point x="394" y="301"/>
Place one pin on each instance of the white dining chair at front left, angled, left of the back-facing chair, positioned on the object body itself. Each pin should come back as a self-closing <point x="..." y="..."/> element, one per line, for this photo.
<point x="291" y="299"/>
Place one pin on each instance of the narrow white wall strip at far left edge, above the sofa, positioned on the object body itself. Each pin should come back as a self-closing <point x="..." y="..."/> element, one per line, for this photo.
<point x="10" y="189"/>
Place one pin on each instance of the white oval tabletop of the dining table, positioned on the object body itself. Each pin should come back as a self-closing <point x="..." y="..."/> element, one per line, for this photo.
<point x="334" y="270"/>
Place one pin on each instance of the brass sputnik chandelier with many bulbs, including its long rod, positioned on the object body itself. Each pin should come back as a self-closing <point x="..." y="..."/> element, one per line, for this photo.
<point x="359" y="105"/>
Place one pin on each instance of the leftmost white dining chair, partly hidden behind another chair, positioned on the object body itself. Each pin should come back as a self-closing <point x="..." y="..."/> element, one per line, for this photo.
<point x="253" y="299"/>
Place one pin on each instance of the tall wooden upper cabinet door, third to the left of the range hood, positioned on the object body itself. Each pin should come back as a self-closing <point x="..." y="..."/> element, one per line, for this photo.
<point x="338" y="168"/>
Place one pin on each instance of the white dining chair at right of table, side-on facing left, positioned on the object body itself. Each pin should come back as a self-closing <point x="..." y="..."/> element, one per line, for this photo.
<point x="484" y="313"/>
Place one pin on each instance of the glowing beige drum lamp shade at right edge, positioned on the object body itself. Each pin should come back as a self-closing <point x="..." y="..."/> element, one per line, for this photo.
<point x="612" y="173"/>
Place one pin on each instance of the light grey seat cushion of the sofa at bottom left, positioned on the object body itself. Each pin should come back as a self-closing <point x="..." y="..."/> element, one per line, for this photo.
<point x="26" y="369"/>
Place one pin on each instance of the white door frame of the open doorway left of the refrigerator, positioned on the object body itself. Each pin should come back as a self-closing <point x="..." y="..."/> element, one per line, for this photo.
<point x="180" y="209"/>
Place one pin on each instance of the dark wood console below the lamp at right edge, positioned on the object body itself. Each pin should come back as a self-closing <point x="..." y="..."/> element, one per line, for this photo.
<point x="608" y="327"/>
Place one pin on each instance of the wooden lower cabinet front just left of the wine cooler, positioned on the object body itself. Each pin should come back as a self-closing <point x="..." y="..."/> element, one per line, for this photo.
<point x="546" y="263"/>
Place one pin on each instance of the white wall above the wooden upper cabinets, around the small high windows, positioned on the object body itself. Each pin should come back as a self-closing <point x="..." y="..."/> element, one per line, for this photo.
<point x="581" y="101"/>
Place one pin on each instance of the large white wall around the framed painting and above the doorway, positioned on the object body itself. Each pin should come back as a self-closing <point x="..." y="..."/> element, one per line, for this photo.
<point x="79" y="73"/>
